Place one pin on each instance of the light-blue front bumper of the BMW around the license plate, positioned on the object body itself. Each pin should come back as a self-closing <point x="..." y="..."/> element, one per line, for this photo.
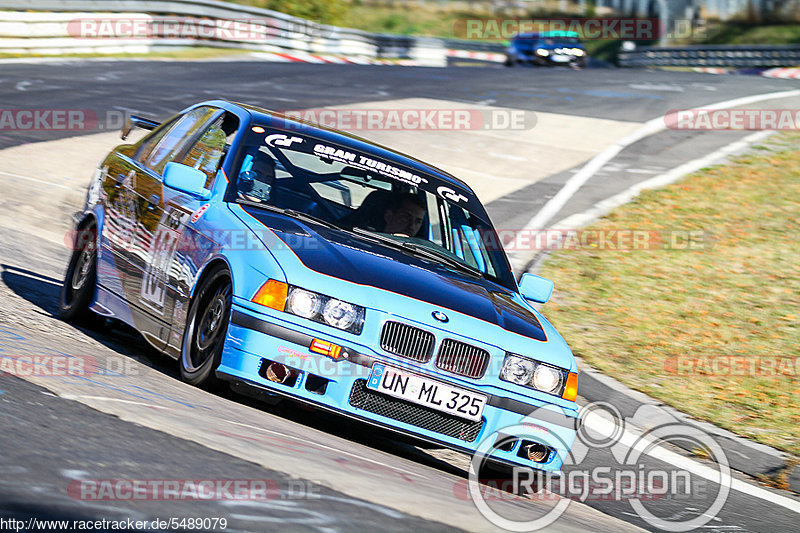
<point x="257" y="339"/>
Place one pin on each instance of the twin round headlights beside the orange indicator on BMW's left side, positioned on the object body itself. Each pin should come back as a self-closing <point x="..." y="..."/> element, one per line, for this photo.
<point x="324" y="309"/>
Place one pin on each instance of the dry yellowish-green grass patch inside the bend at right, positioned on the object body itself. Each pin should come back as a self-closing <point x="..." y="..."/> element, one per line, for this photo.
<point x="632" y="312"/>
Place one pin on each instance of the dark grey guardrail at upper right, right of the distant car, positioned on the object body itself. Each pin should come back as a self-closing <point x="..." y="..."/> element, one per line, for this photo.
<point x="713" y="56"/>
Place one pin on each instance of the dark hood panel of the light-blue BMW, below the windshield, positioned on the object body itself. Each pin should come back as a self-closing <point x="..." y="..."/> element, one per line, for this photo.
<point x="364" y="262"/>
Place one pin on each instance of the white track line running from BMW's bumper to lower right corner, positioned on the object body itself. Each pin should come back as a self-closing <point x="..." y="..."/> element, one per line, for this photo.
<point x="607" y="427"/>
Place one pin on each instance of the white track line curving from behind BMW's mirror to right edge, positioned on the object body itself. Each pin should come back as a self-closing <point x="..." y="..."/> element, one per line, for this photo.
<point x="557" y="202"/>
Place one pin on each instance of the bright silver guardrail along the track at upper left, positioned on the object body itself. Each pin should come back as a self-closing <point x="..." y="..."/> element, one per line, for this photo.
<point x="43" y="26"/>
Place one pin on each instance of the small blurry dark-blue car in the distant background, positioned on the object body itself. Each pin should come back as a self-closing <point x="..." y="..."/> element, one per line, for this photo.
<point x="547" y="48"/>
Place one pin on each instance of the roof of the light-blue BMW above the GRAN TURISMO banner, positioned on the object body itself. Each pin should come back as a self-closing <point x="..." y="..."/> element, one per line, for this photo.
<point x="280" y="121"/>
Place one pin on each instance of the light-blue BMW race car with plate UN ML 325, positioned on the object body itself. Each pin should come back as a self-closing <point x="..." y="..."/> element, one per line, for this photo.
<point x="291" y="260"/>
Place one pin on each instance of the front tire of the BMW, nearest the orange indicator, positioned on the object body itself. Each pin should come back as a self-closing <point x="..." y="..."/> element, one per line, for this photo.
<point x="206" y="329"/>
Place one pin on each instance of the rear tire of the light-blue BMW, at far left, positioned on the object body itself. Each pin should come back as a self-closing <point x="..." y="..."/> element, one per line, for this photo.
<point x="81" y="278"/>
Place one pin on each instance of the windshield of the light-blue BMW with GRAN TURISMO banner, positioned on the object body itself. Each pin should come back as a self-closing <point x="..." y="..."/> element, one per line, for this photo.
<point x="372" y="197"/>
